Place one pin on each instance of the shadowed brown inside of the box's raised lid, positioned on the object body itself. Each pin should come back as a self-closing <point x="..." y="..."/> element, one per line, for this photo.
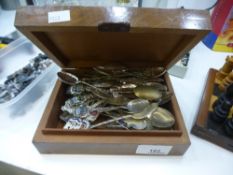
<point x="87" y="49"/>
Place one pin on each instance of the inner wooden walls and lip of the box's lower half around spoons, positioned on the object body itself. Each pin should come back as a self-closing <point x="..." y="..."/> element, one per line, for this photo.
<point x="55" y="126"/>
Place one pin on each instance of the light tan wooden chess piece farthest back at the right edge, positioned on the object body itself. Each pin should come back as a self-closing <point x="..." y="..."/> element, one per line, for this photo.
<point x="226" y="69"/>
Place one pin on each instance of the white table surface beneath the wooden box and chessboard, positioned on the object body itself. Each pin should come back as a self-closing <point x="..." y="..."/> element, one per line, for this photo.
<point x="202" y="157"/>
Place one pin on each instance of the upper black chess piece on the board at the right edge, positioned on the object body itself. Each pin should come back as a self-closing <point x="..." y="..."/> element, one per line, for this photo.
<point x="222" y="106"/>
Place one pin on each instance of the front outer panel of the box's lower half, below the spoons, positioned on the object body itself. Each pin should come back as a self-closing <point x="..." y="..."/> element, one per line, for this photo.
<point x="114" y="149"/>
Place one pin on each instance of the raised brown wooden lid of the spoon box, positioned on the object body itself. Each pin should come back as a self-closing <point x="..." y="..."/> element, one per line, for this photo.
<point x="107" y="35"/>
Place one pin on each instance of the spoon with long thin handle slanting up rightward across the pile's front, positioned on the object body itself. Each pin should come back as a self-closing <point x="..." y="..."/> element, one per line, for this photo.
<point x="146" y="113"/>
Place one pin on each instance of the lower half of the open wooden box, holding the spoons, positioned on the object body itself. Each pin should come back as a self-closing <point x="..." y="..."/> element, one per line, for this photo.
<point x="50" y="137"/>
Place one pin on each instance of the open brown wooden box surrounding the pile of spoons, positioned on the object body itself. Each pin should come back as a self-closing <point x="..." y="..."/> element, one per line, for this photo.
<point x="94" y="36"/>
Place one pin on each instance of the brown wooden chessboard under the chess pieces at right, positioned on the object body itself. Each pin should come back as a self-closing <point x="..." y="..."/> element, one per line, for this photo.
<point x="204" y="127"/>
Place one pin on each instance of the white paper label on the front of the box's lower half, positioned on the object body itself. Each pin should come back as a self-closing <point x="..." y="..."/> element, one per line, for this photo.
<point x="153" y="149"/>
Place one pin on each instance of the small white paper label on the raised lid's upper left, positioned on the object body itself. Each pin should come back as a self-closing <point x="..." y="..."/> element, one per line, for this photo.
<point x="58" y="16"/>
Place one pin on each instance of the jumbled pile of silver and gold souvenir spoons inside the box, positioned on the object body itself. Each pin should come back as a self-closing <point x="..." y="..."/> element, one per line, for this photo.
<point x="115" y="97"/>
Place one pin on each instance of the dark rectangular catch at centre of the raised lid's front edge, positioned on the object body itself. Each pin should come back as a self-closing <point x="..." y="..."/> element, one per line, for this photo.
<point x="114" y="27"/>
